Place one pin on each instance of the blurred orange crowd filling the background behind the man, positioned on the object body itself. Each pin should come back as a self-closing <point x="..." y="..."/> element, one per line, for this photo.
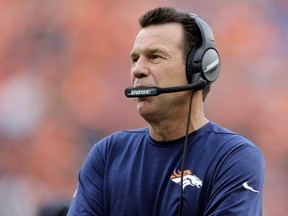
<point x="64" y="66"/>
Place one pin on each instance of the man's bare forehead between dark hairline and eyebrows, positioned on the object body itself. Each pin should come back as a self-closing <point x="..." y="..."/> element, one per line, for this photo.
<point x="167" y="36"/>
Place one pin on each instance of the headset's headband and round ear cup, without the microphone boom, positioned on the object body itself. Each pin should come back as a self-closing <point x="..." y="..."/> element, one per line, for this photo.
<point x="203" y="61"/>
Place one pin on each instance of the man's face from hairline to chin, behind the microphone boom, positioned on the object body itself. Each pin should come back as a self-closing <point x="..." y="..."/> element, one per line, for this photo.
<point x="157" y="60"/>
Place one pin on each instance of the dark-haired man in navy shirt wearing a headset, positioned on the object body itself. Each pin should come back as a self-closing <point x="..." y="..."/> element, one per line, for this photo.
<point x="175" y="166"/>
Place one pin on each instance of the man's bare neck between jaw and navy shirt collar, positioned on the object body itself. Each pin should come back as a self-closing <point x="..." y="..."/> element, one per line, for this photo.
<point x="172" y="129"/>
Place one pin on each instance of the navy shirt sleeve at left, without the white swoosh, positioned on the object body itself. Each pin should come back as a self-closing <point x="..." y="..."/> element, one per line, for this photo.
<point x="88" y="198"/>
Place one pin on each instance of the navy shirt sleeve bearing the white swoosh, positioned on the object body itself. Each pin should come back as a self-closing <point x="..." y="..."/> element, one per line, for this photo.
<point x="237" y="183"/>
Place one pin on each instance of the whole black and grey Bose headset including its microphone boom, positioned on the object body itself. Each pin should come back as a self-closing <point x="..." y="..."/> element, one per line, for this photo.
<point x="202" y="65"/>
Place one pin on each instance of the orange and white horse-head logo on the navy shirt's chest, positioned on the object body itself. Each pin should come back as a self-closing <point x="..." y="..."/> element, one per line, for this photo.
<point x="188" y="179"/>
